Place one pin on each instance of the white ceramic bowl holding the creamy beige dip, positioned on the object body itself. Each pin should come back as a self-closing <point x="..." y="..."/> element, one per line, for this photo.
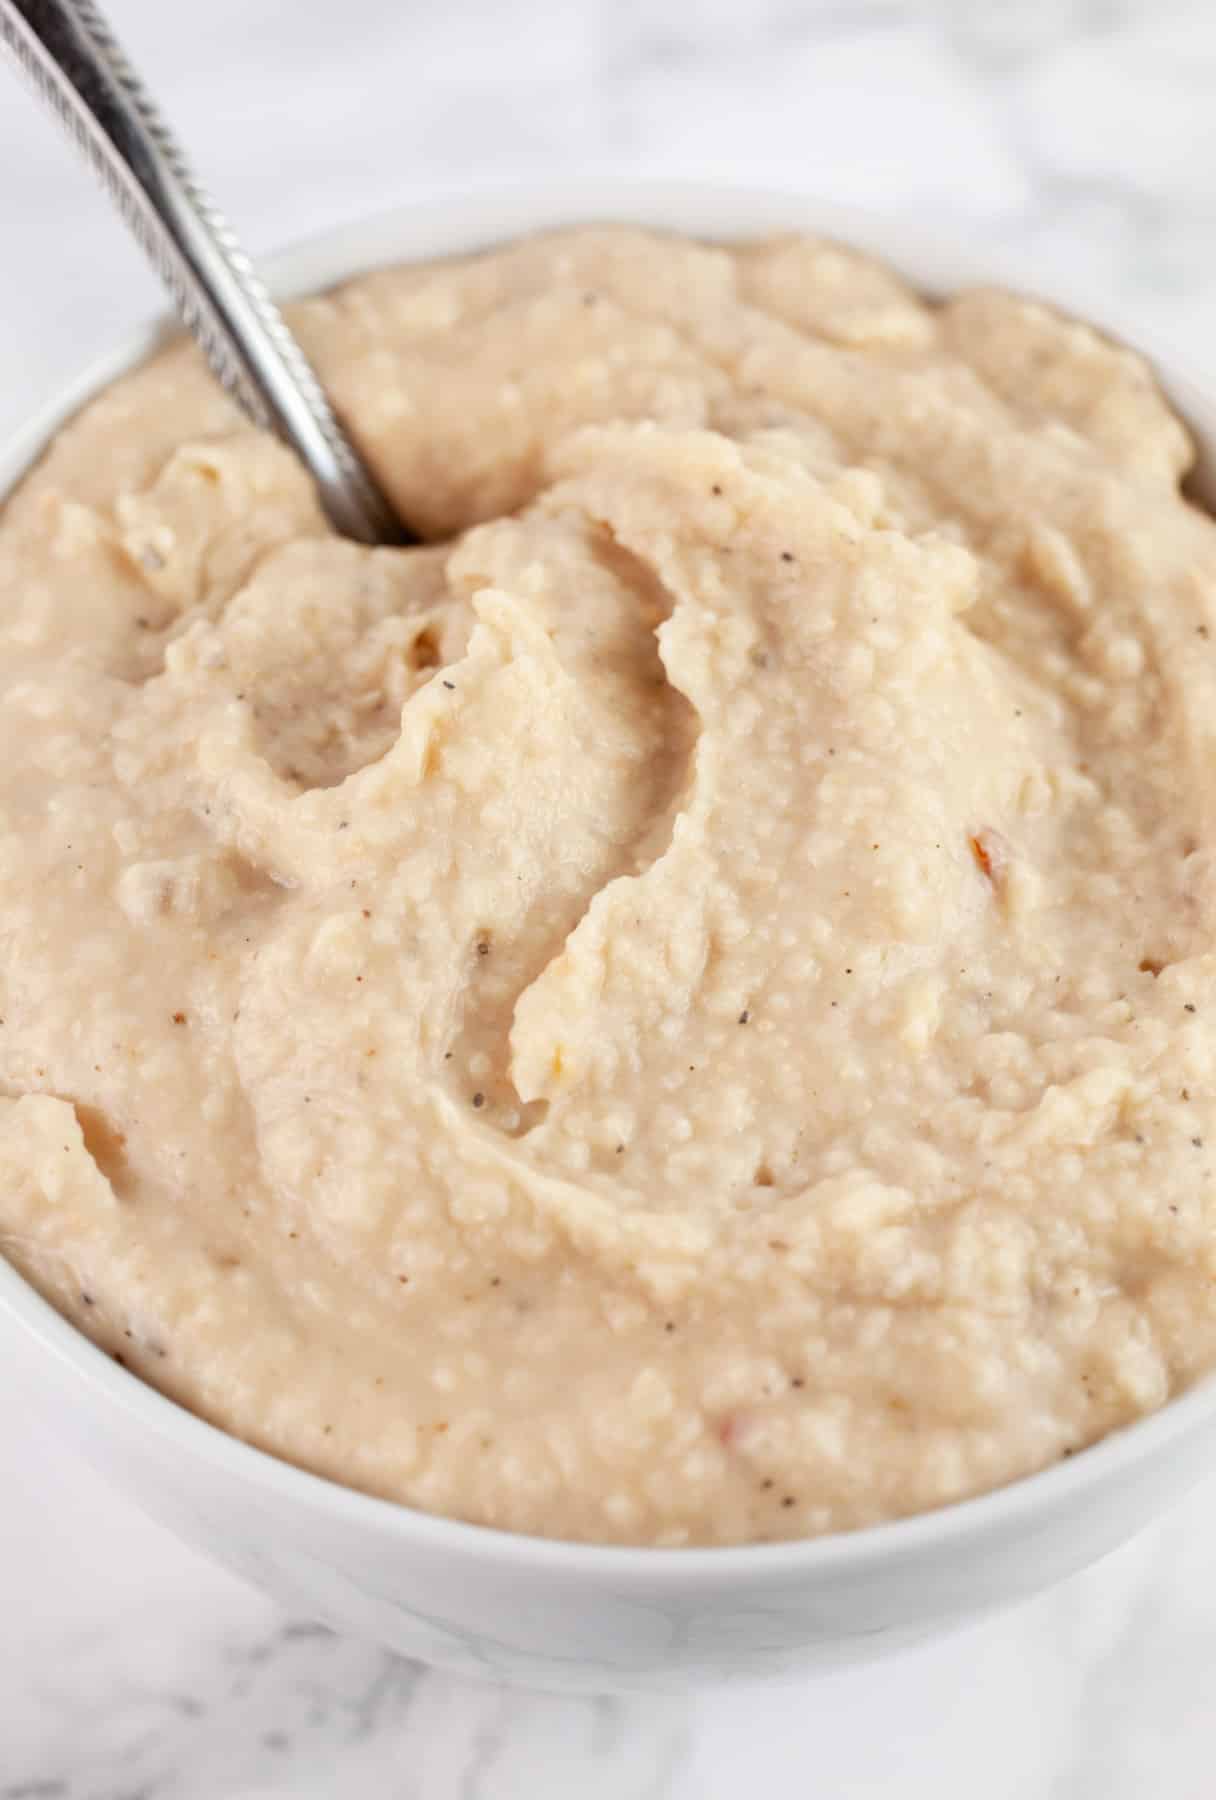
<point x="569" y="1615"/>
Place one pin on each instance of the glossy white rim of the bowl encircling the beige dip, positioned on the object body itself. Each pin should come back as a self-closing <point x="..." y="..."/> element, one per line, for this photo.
<point x="465" y="222"/>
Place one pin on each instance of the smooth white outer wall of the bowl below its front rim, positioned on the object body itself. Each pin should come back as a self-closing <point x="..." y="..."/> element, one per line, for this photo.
<point x="630" y="1624"/>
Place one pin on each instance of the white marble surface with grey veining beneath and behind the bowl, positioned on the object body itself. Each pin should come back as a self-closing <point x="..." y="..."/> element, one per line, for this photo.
<point x="1073" y="130"/>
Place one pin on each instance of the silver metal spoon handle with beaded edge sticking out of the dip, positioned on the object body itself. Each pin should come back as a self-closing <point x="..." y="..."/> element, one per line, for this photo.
<point x="75" y="62"/>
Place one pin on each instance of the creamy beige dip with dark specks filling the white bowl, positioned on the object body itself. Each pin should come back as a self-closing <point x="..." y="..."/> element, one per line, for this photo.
<point x="684" y="1012"/>
